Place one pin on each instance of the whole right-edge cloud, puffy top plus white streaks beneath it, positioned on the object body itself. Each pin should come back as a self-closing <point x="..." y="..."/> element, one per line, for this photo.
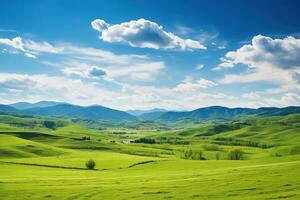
<point x="268" y="60"/>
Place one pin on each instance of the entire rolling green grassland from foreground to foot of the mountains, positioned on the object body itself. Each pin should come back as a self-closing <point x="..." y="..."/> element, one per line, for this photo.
<point x="41" y="163"/>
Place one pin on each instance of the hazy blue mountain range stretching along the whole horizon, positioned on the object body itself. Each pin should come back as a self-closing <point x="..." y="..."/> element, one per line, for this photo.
<point x="97" y="112"/>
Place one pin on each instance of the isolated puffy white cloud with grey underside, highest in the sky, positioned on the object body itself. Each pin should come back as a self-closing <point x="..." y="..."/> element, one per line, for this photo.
<point x="144" y="34"/>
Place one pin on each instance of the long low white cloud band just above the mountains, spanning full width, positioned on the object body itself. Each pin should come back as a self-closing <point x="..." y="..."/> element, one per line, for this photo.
<point x="36" y="87"/>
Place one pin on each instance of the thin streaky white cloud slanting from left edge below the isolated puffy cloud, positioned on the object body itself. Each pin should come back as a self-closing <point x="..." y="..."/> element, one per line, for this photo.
<point x="81" y="61"/>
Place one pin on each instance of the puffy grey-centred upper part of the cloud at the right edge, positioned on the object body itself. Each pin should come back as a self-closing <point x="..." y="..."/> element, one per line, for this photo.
<point x="282" y="53"/>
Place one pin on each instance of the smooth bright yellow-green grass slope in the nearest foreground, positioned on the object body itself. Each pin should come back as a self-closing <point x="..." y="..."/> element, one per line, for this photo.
<point x="182" y="179"/>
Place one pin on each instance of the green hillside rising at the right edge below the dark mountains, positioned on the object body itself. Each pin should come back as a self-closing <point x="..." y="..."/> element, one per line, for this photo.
<point x="277" y="130"/>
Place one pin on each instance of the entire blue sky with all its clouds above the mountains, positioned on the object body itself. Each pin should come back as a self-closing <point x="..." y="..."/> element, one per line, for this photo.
<point x="178" y="55"/>
